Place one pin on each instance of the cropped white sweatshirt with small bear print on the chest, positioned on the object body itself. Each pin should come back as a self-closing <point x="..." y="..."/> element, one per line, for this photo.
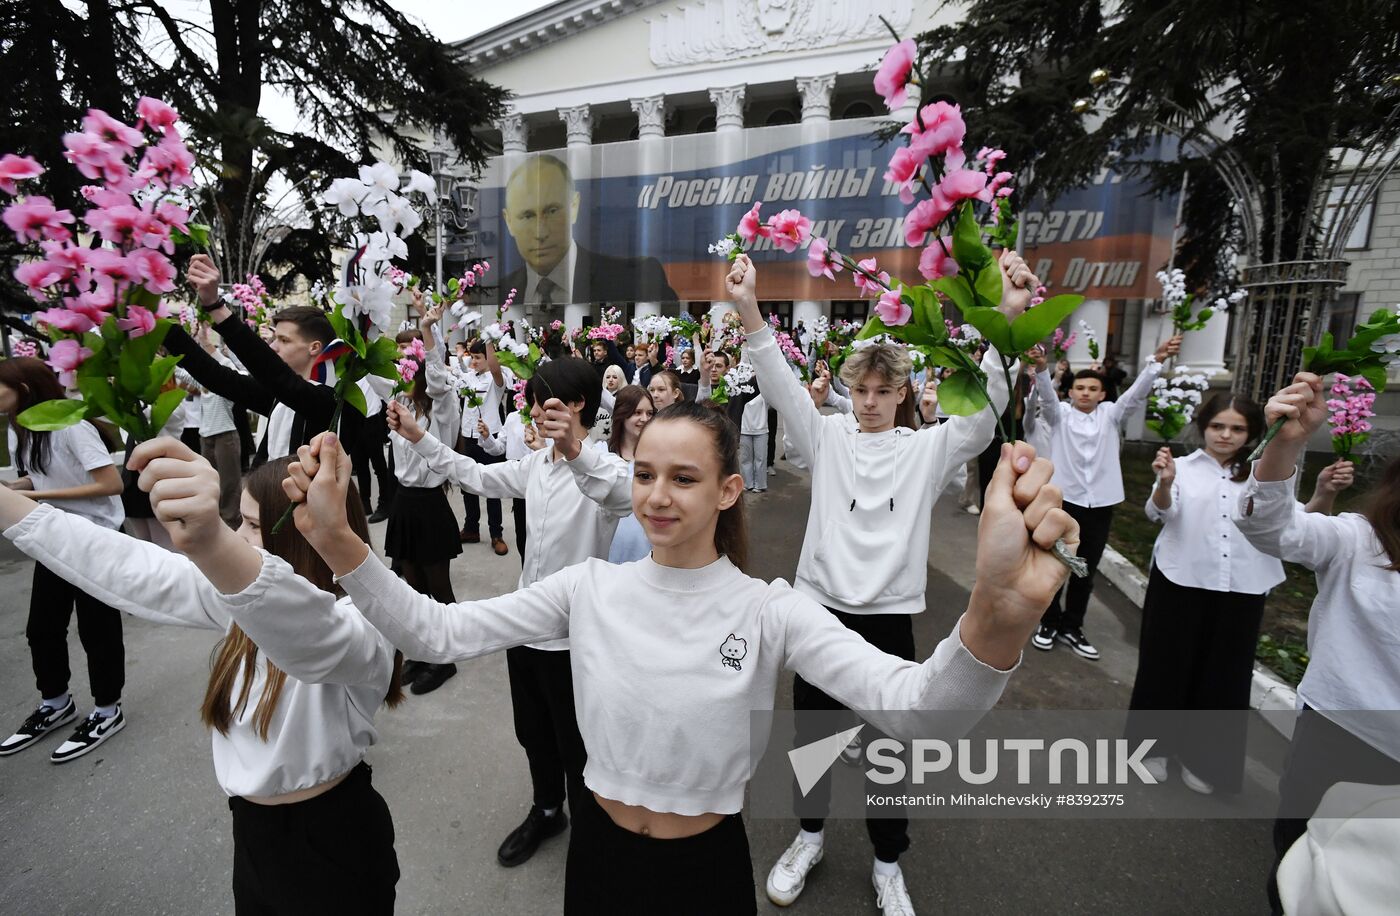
<point x="664" y="698"/>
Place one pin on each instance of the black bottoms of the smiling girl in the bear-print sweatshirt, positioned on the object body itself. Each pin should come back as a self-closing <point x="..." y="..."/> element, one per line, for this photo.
<point x="612" y="870"/>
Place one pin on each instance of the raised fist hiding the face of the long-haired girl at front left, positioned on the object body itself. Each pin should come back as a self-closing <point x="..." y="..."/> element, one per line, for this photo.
<point x="184" y="494"/>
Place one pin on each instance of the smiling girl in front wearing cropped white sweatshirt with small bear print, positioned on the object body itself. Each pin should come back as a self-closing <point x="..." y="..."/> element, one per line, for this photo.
<point x="666" y="698"/>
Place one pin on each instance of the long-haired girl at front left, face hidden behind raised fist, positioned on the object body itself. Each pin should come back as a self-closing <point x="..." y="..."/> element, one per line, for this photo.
<point x="290" y="700"/>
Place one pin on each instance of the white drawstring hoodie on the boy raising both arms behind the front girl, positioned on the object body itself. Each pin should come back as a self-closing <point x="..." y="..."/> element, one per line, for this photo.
<point x="866" y="548"/>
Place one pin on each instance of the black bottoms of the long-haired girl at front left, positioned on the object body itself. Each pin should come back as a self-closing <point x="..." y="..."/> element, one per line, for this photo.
<point x="327" y="856"/>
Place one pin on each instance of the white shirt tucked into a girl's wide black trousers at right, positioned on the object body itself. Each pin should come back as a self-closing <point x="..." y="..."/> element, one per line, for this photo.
<point x="1200" y="547"/>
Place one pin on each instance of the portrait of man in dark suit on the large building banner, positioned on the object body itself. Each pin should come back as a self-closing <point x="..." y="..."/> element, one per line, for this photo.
<point x="541" y="209"/>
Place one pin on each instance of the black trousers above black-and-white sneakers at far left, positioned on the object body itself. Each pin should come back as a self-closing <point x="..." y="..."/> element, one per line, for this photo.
<point x="52" y="602"/>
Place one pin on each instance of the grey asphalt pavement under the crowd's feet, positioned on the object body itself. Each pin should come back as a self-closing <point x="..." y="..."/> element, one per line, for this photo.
<point x="141" y="827"/>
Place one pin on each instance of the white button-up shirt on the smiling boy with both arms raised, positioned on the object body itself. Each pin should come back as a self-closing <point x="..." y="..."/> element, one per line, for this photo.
<point x="1087" y="445"/>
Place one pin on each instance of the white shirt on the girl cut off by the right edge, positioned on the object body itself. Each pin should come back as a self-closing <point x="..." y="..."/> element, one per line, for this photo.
<point x="1354" y="623"/>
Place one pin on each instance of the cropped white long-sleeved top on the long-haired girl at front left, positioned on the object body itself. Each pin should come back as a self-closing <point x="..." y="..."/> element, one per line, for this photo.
<point x="338" y="666"/>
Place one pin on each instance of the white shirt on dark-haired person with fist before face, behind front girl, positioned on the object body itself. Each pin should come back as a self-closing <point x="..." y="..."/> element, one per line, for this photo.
<point x="563" y="526"/>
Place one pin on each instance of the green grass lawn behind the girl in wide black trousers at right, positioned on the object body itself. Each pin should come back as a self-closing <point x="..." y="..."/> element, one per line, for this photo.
<point x="1284" y="635"/>
